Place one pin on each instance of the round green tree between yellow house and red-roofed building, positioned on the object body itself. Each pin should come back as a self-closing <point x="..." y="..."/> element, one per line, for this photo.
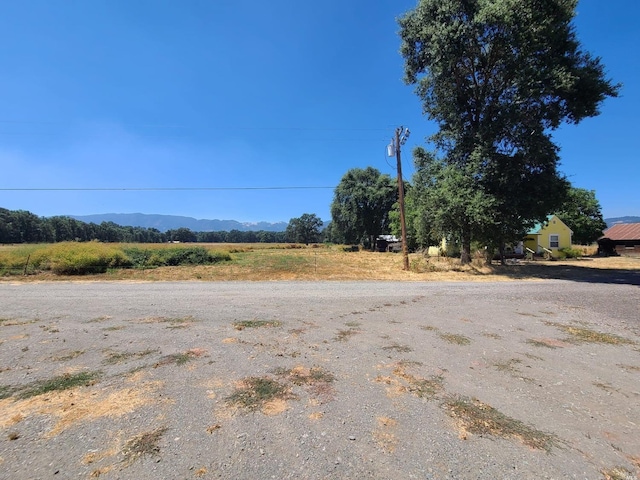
<point x="581" y="212"/>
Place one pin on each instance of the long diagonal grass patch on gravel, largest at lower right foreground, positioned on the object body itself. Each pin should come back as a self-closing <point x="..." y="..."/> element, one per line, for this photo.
<point x="475" y="417"/>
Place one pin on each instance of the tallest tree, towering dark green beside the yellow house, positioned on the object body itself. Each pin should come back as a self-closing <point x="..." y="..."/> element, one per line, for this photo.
<point x="498" y="76"/>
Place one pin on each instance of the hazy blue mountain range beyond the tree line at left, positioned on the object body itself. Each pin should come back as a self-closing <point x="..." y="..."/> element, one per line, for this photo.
<point x="172" y="222"/>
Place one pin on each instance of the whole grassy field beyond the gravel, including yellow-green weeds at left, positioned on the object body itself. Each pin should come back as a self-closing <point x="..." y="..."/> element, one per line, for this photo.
<point x="291" y="262"/>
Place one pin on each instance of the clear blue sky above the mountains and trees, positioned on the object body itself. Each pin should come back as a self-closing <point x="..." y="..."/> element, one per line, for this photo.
<point x="197" y="94"/>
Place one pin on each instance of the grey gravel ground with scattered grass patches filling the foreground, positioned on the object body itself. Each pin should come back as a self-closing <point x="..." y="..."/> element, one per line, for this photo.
<point x="521" y="380"/>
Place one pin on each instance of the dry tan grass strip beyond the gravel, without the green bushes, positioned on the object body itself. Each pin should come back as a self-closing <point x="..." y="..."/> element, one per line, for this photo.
<point x="281" y="262"/>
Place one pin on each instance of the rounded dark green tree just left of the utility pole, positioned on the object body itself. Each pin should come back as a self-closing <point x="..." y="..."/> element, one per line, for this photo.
<point x="361" y="204"/>
